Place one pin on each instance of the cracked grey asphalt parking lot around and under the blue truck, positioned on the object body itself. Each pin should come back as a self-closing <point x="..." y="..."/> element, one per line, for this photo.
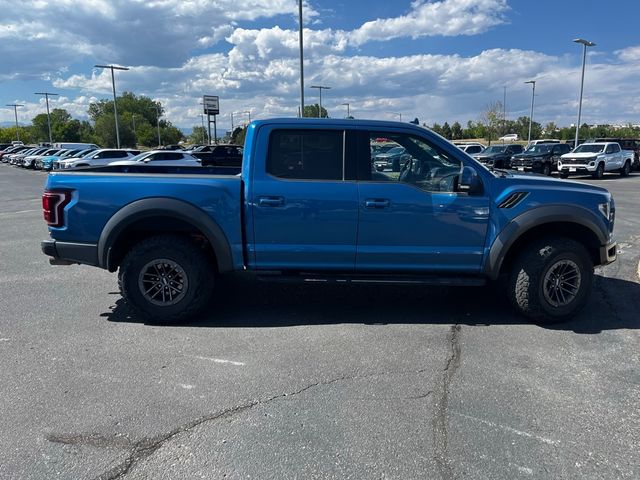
<point x="311" y="381"/>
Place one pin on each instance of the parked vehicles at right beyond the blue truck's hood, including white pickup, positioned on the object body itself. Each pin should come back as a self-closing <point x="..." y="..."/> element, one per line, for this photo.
<point x="594" y="157"/>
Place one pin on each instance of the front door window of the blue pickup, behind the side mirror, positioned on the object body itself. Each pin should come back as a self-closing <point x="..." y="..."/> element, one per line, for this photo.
<point x="413" y="160"/>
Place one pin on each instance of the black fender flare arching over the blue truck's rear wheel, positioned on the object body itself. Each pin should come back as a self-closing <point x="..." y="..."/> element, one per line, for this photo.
<point x="150" y="216"/>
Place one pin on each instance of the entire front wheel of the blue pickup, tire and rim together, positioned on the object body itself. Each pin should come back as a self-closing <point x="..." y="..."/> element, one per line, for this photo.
<point x="551" y="280"/>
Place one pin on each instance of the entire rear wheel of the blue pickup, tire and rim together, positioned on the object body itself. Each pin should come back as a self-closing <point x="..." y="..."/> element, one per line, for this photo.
<point x="166" y="279"/>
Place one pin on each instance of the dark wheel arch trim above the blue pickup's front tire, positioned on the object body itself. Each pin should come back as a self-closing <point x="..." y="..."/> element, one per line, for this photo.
<point x="573" y="222"/>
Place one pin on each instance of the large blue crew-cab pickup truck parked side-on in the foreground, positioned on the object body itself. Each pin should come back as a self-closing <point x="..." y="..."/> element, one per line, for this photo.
<point x="309" y="203"/>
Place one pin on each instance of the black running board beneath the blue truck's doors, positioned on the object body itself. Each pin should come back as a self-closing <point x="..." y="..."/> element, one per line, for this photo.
<point x="433" y="280"/>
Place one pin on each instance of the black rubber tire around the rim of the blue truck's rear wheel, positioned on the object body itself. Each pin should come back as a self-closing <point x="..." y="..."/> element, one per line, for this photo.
<point x="182" y="251"/>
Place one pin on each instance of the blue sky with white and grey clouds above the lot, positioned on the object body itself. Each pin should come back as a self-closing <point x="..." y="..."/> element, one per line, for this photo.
<point x="438" y="60"/>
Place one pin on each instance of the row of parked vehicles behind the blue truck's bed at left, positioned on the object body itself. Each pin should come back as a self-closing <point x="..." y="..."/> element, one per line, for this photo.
<point x="85" y="155"/>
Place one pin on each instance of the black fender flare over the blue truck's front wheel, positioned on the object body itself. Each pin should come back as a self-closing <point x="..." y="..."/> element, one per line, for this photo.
<point x="535" y="218"/>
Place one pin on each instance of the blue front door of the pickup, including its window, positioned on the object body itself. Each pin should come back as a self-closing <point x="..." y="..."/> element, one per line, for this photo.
<point x="414" y="220"/>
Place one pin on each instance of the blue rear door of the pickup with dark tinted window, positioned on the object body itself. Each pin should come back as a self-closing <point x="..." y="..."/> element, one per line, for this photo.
<point x="304" y="200"/>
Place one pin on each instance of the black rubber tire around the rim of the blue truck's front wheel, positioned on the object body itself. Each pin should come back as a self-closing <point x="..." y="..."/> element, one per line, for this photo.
<point x="527" y="278"/>
